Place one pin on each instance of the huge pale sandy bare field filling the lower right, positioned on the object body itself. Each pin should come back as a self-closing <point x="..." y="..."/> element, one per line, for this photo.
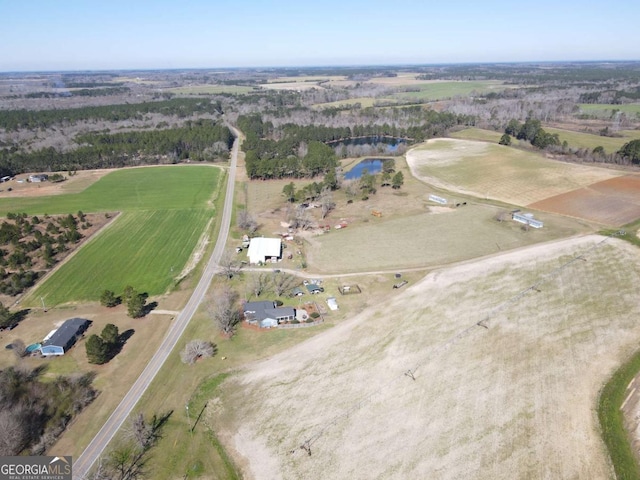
<point x="513" y="400"/>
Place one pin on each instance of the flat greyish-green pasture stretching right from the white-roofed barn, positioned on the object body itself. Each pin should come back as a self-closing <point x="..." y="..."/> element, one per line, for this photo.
<point x="425" y="240"/>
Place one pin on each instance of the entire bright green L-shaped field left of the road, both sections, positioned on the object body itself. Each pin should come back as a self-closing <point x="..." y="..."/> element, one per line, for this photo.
<point x="164" y="212"/>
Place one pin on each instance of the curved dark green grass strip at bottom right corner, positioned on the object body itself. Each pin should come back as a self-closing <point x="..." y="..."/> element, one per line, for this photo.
<point x="611" y="419"/>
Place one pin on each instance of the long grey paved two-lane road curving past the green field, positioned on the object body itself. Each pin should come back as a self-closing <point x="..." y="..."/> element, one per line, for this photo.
<point x="93" y="451"/>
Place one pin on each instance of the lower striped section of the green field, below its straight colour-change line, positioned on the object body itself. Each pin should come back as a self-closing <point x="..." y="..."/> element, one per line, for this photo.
<point x="145" y="249"/>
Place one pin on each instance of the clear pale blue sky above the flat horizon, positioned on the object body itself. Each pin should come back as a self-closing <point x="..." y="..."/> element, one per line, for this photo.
<point x="142" y="34"/>
